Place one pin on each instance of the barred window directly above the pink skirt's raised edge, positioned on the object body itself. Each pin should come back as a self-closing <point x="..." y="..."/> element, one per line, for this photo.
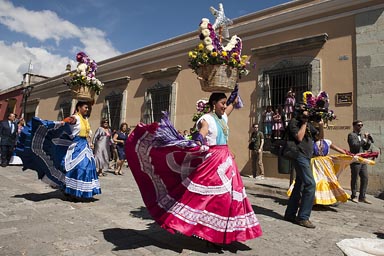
<point x="157" y="99"/>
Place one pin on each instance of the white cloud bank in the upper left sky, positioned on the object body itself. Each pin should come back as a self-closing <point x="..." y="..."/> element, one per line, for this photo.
<point x="44" y="26"/>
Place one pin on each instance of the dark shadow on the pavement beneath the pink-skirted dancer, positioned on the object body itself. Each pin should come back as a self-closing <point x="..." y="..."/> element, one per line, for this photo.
<point x="126" y="239"/>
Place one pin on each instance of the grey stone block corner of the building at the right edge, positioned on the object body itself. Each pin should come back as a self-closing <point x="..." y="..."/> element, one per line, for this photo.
<point x="369" y="93"/>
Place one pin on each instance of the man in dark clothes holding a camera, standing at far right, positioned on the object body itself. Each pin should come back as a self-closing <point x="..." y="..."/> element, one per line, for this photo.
<point x="358" y="143"/>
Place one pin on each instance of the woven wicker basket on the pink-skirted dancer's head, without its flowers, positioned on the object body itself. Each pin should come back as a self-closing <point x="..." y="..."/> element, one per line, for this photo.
<point x="217" y="78"/>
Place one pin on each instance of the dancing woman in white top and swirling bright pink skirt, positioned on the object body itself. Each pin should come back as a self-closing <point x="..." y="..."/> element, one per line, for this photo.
<point x="193" y="186"/>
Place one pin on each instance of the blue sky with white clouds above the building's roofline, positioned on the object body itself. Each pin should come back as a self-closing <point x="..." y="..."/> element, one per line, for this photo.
<point x="49" y="33"/>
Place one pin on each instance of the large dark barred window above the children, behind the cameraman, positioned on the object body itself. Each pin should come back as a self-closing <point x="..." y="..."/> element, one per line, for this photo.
<point x="278" y="82"/>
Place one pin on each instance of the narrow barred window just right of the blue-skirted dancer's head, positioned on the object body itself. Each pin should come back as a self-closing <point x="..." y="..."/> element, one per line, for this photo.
<point x="113" y="110"/>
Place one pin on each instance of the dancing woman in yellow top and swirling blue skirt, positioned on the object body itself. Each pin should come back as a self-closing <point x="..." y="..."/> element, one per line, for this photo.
<point x="60" y="153"/>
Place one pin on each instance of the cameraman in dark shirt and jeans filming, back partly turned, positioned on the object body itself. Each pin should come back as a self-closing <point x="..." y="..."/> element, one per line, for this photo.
<point x="300" y="202"/>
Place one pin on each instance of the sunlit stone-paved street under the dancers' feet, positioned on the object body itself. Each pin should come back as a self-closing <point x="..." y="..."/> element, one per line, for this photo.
<point x="37" y="220"/>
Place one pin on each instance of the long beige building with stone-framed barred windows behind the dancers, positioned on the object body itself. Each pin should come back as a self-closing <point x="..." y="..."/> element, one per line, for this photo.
<point x="335" y="46"/>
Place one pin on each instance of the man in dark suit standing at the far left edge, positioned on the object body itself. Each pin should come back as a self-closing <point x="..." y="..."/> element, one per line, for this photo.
<point x="8" y="133"/>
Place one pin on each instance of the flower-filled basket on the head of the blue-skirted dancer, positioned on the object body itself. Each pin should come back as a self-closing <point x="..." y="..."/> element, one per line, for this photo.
<point x="83" y="83"/>
